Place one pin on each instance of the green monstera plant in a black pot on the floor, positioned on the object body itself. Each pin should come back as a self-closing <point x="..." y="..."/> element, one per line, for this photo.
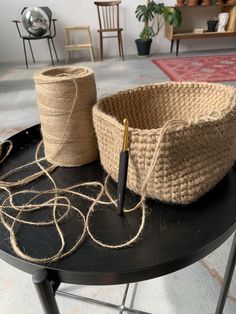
<point x="153" y="14"/>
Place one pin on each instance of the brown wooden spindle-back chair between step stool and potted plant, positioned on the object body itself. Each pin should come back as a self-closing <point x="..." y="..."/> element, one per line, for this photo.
<point x="108" y="16"/>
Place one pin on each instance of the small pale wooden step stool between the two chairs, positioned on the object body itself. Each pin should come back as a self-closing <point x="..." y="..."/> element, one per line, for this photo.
<point x="72" y="47"/>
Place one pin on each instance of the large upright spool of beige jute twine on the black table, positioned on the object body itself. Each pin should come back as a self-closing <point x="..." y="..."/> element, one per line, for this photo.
<point x="65" y="98"/>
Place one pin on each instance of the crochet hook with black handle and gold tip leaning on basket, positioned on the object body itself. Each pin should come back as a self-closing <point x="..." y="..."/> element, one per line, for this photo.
<point x="123" y="169"/>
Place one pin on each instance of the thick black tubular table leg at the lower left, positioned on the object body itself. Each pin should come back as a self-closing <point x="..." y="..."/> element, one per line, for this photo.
<point x="45" y="292"/>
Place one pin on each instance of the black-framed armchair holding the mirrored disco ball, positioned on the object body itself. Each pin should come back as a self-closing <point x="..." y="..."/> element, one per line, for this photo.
<point x="49" y="36"/>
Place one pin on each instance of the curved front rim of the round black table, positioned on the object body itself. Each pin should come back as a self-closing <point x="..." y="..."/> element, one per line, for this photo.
<point x="111" y="278"/>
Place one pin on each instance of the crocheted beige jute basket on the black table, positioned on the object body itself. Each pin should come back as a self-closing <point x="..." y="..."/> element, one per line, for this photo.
<point x="196" y="150"/>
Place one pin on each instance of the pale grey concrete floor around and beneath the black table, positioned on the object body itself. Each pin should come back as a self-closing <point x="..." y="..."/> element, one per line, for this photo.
<point x="194" y="289"/>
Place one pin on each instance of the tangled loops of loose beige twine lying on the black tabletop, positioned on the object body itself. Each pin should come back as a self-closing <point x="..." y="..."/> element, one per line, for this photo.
<point x="55" y="202"/>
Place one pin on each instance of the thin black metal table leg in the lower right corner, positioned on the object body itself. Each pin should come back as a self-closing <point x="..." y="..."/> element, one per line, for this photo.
<point x="227" y="277"/>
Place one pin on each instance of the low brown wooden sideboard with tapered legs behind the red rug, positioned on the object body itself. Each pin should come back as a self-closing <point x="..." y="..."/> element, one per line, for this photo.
<point x="186" y="31"/>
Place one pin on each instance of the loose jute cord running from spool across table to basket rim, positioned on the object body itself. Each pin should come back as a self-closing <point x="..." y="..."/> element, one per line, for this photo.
<point x="58" y="199"/>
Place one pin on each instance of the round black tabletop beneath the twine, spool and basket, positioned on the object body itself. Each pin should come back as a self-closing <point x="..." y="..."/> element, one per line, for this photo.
<point x="174" y="236"/>
